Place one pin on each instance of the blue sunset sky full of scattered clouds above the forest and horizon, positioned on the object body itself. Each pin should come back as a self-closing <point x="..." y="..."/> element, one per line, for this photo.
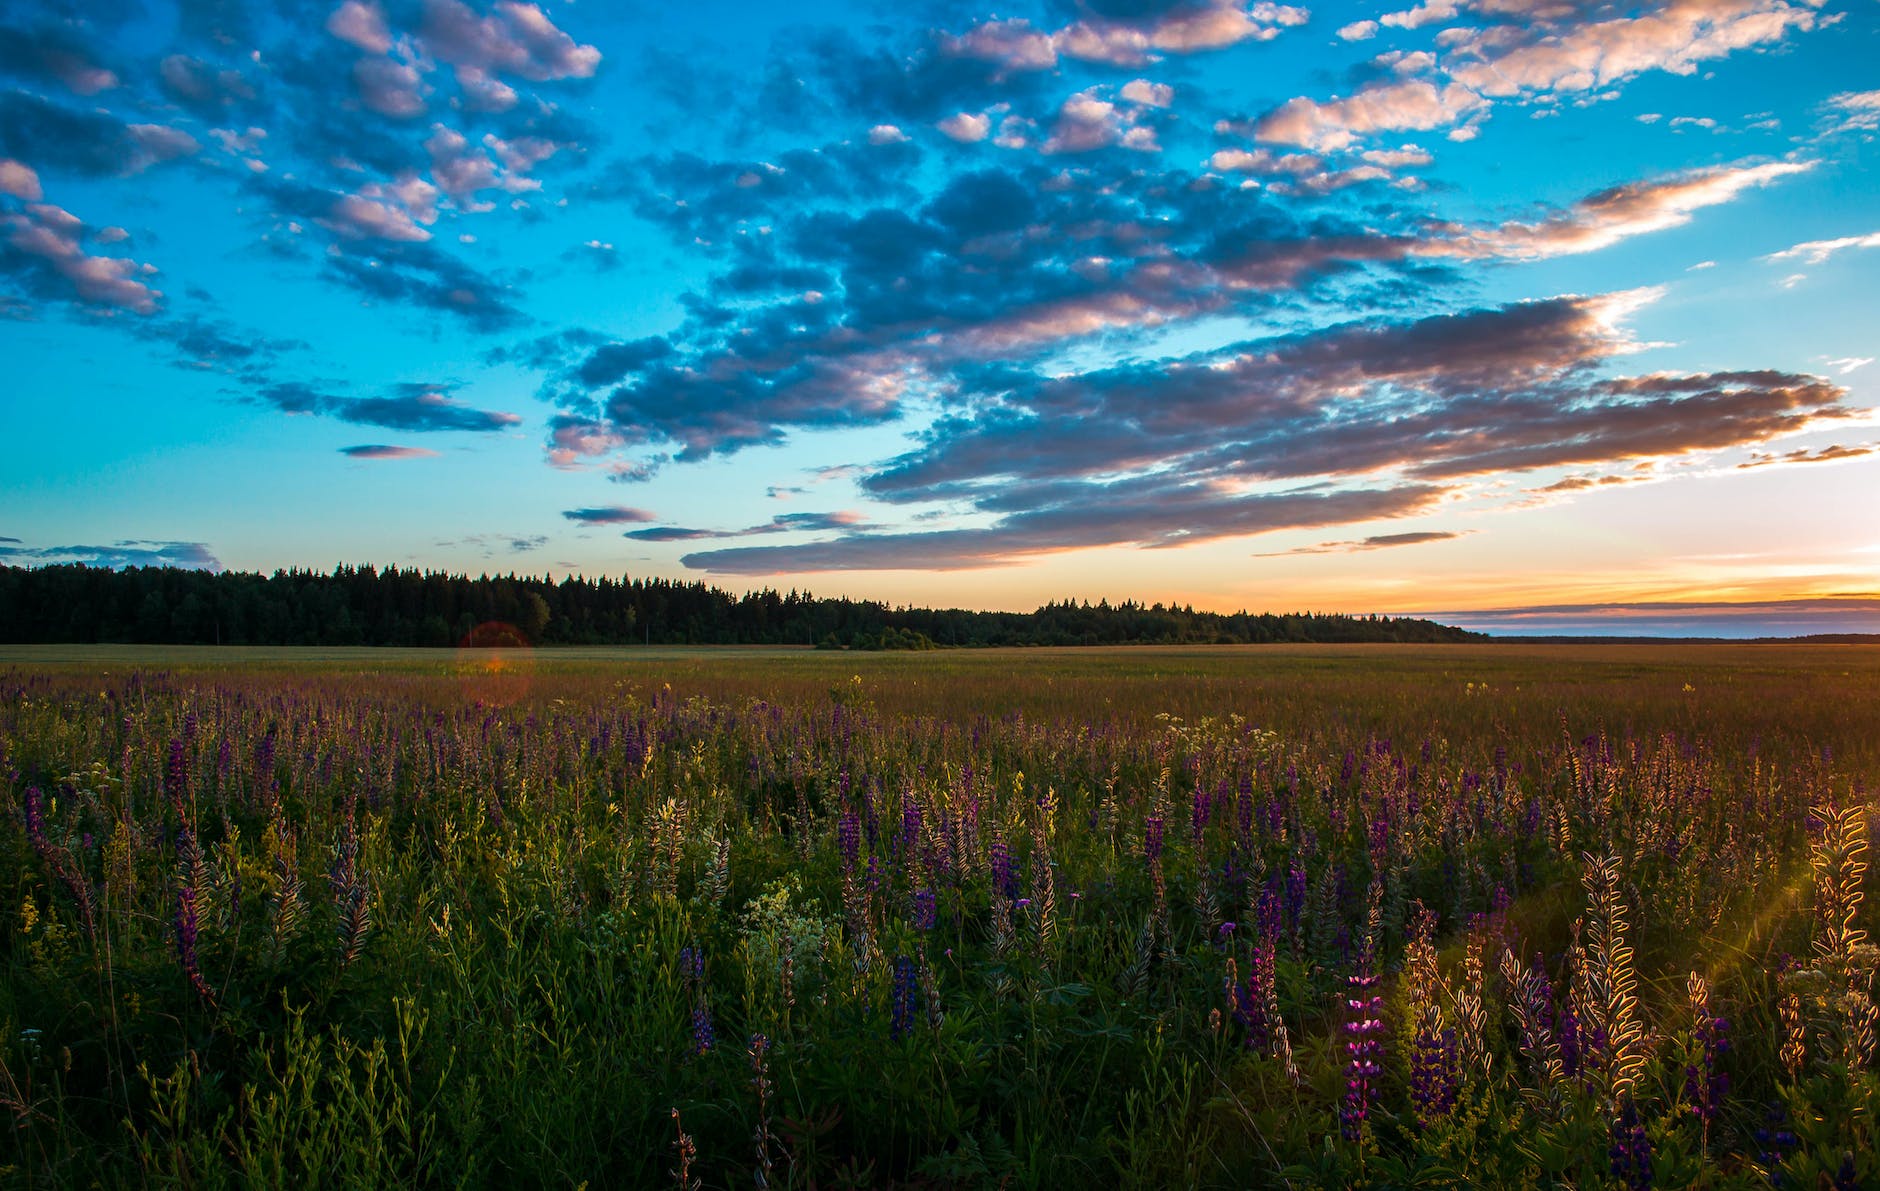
<point x="1526" y="315"/>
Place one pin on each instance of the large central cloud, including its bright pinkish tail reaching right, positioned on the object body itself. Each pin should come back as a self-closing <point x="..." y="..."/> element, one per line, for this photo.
<point x="843" y="317"/>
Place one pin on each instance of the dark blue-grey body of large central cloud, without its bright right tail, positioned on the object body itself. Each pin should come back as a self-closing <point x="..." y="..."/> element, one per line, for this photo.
<point x="836" y="315"/>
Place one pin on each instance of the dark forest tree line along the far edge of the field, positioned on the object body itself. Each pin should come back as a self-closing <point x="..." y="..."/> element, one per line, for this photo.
<point x="411" y="608"/>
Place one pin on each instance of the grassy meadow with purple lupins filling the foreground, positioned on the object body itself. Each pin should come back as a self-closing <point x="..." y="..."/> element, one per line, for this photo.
<point x="1315" y="918"/>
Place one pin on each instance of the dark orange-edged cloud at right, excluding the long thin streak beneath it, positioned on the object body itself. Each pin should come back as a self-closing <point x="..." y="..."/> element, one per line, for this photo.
<point x="1503" y="390"/>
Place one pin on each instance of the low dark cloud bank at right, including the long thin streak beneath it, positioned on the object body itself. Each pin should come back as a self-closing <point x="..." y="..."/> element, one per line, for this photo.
<point x="1165" y="454"/>
